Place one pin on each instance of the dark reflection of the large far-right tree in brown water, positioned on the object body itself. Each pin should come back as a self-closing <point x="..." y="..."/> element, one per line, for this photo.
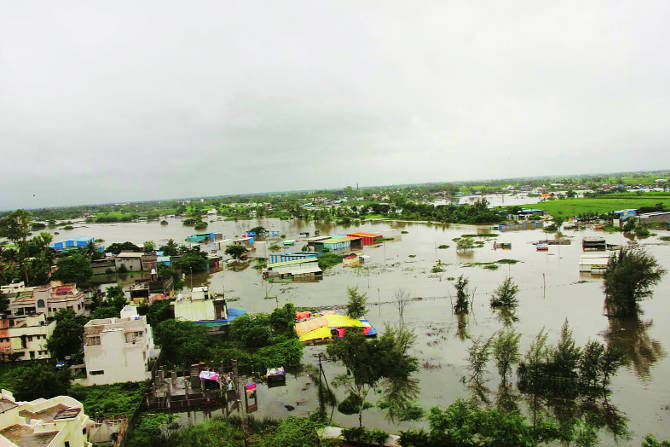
<point x="629" y="336"/>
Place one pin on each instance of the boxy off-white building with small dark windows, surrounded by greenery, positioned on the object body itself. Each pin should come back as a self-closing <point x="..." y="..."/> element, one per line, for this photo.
<point x="118" y="349"/>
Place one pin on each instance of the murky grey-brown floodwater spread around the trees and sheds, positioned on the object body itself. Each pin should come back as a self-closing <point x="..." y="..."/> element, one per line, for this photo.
<point x="551" y="291"/>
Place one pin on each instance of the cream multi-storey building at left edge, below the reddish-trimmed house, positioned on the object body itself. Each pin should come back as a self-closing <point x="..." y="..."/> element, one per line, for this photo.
<point x="25" y="338"/>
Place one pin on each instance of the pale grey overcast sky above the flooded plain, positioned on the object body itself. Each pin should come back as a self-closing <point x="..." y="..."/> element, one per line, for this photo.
<point x="139" y="100"/>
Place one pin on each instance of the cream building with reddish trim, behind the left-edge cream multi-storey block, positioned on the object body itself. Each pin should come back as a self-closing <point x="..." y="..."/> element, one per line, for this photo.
<point x="47" y="299"/>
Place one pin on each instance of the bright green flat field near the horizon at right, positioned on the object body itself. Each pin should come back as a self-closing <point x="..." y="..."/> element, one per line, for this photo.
<point x="574" y="207"/>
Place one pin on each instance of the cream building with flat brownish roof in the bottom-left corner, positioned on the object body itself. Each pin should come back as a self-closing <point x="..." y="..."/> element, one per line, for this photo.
<point x="56" y="422"/>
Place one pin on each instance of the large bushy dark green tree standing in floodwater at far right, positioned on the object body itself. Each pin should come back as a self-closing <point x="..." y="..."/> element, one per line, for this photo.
<point x="629" y="279"/>
